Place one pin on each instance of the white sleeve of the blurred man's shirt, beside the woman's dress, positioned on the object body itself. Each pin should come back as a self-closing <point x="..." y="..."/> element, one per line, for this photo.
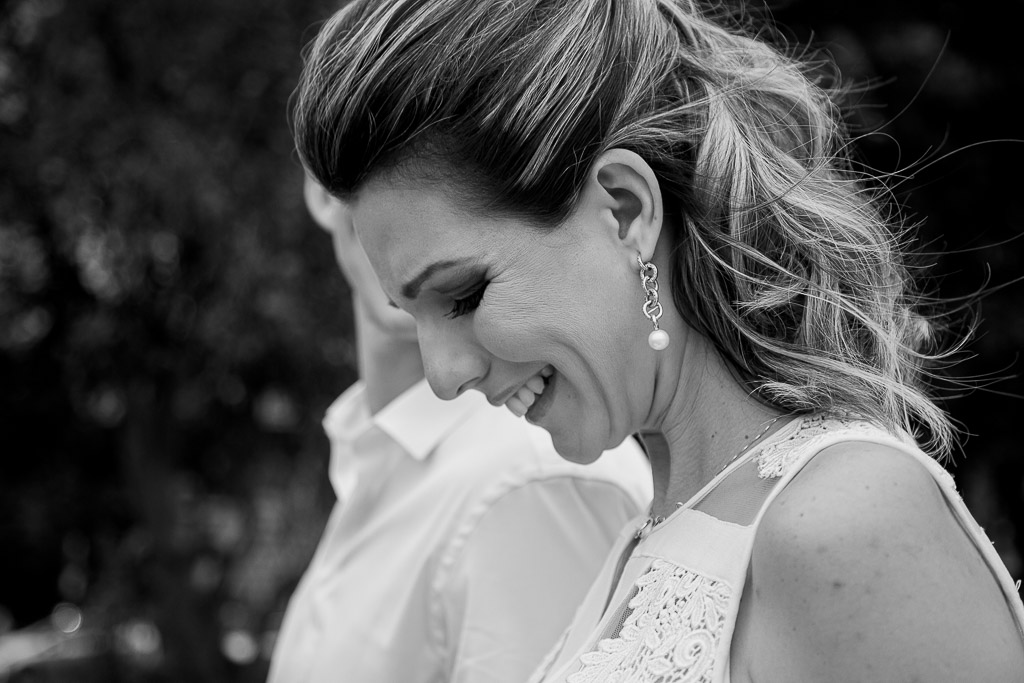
<point x="518" y="574"/>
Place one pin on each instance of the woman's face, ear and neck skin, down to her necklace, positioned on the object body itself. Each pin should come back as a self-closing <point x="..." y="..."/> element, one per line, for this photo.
<point x="568" y="298"/>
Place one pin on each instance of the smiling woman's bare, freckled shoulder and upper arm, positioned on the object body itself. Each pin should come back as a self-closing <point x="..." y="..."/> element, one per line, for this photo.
<point x="861" y="572"/>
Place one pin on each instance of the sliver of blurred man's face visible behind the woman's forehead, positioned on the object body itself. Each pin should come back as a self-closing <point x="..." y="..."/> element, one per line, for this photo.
<point x="334" y="218"/>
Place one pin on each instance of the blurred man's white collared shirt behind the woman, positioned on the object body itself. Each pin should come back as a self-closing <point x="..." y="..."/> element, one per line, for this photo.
<point x="459" y="549"/>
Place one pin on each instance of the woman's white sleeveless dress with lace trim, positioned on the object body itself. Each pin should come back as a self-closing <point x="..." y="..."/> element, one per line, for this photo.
<point x="672" y="615"/>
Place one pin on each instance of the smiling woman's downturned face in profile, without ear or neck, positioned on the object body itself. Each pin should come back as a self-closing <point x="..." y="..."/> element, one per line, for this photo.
<point x="544" y="320"/>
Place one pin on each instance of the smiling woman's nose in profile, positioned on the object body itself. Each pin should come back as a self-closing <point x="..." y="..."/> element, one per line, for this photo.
<point x="453" y="361"/>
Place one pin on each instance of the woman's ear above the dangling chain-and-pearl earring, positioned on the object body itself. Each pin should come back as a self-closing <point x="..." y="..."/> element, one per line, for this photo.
<point x="628" y="189"/>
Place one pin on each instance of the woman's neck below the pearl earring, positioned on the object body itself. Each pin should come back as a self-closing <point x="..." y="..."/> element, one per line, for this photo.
<point x="707" y="419"/>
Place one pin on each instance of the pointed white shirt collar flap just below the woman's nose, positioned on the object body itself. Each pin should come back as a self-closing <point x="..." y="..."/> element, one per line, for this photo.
<point x="418" y="420"/>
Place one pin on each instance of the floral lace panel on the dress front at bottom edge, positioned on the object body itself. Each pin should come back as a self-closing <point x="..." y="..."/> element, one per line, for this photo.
<point x="670" y="636"/>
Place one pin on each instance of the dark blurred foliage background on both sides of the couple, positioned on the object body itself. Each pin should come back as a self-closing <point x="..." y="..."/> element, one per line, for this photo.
<point x="173" y="326"/>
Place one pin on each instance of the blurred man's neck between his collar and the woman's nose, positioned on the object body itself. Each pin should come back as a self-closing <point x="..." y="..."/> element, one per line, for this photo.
<point x="389" y="364"/>
